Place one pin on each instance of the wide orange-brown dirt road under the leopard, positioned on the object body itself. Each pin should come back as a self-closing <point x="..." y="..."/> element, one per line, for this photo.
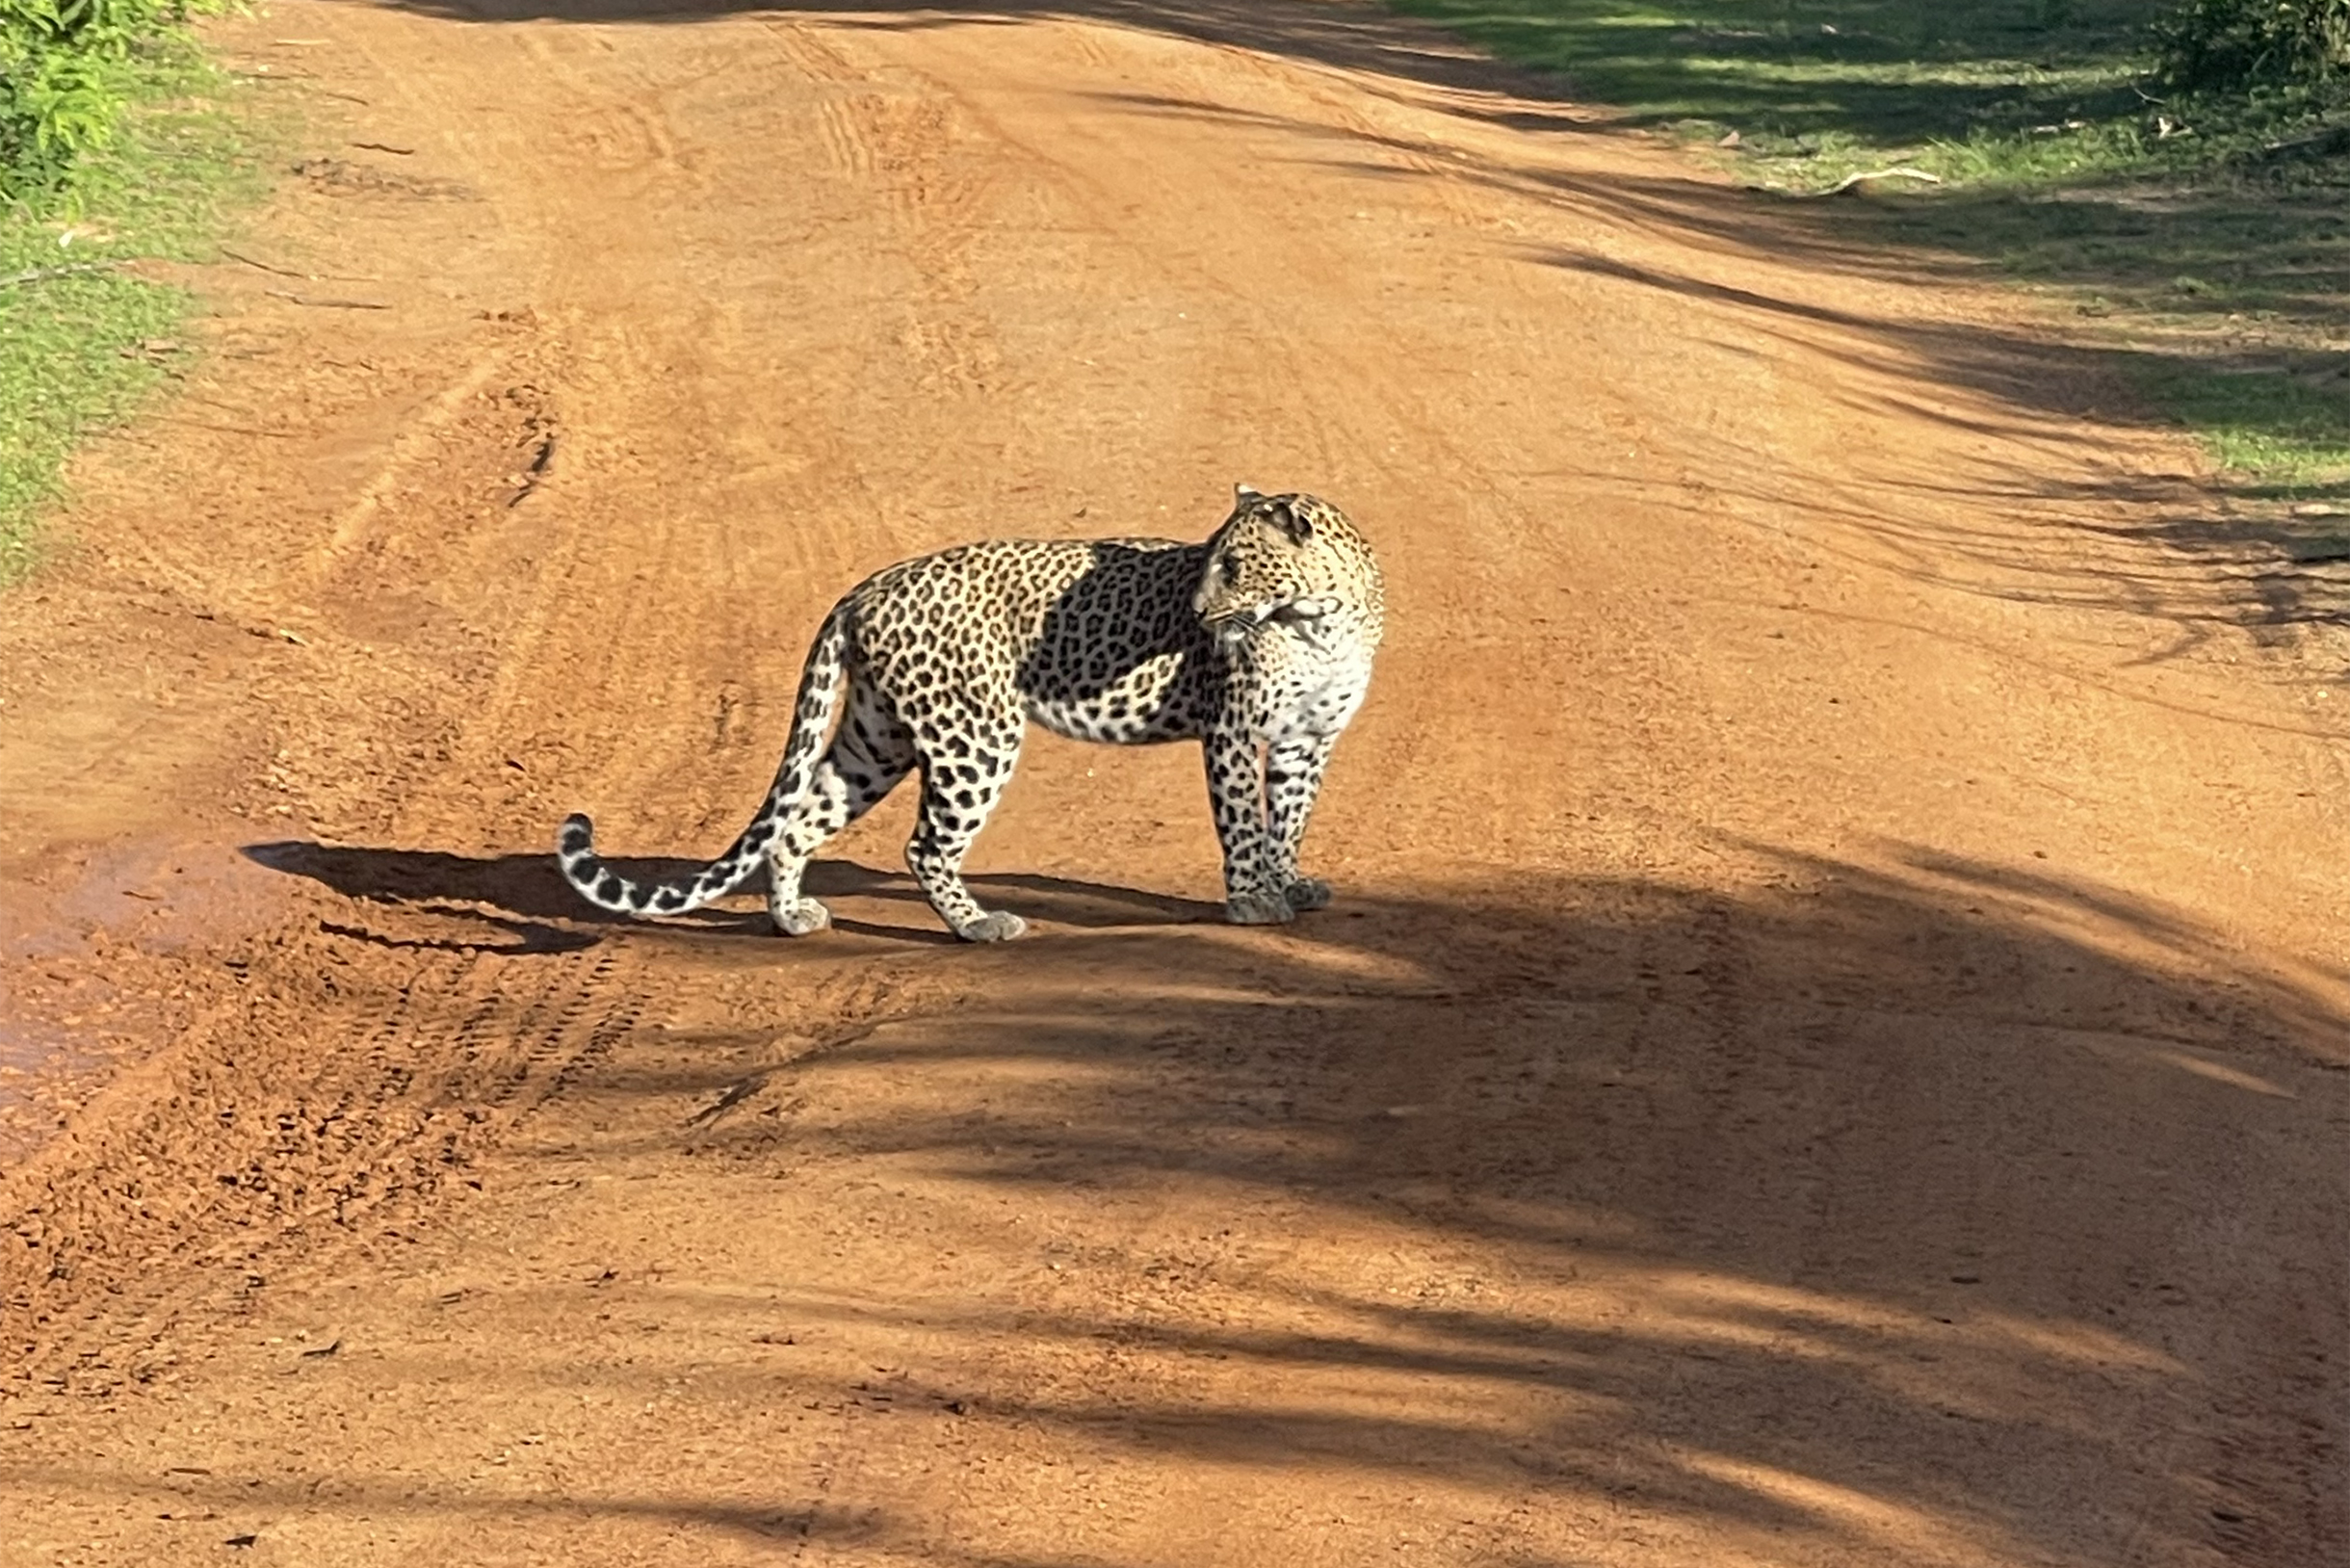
<point x="1829" y="1047"/>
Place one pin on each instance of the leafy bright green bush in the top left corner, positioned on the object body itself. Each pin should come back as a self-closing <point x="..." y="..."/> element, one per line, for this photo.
<point x="65" y="69"/>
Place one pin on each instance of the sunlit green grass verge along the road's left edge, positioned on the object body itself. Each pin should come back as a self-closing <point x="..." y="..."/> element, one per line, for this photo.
<point x="83" y="349"/>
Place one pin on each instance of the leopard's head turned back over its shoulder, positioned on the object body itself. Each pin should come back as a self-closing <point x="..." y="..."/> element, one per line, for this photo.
<point x="1287" y="561"/>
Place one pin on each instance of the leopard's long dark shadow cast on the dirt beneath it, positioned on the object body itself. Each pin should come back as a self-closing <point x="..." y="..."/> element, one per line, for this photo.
<point x="528" y="892"/>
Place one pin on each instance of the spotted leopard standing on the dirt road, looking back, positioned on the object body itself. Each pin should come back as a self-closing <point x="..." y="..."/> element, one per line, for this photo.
<point x="1256" y="643"/>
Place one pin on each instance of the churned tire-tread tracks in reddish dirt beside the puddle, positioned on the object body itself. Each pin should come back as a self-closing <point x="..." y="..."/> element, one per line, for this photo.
<point x="340" y="1130"/>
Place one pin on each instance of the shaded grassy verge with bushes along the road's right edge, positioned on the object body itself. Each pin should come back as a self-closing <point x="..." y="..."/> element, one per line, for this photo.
<point x="2177" y="168"/>
